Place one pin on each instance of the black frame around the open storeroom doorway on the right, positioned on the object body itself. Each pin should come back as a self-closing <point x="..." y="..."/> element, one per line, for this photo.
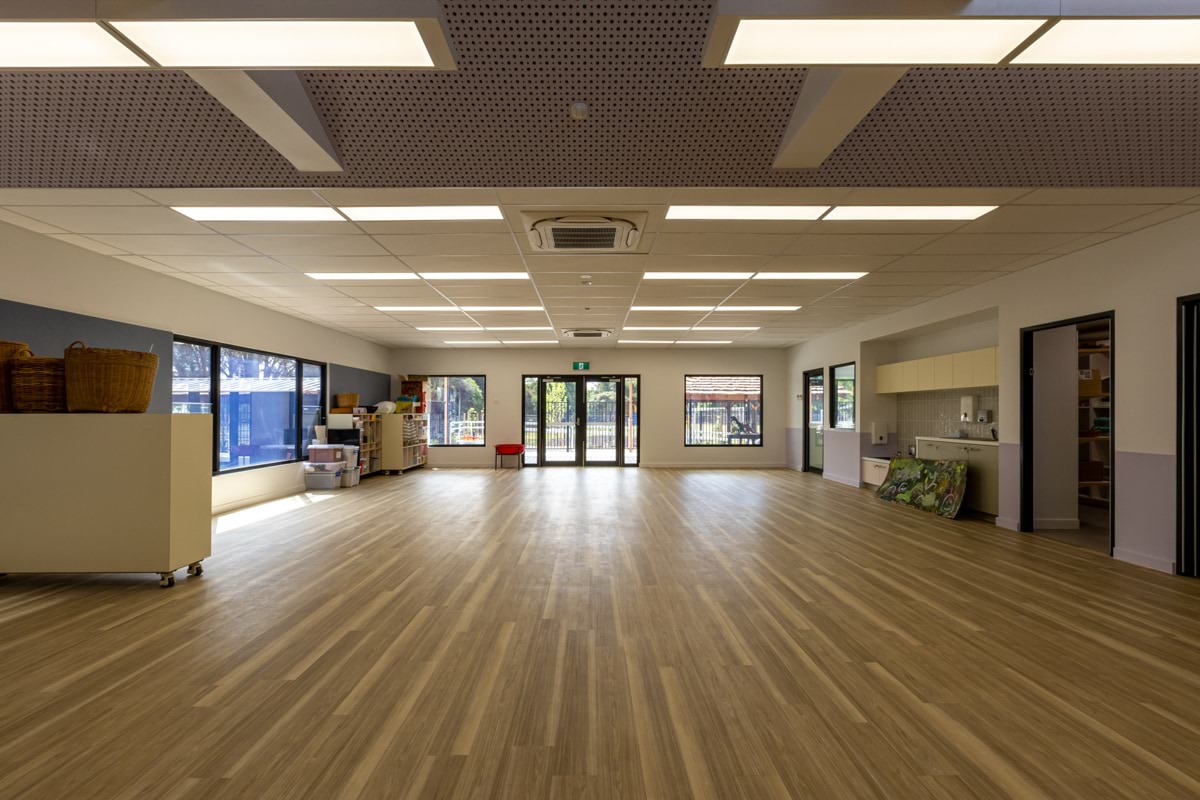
<point x="1027" y="521"/>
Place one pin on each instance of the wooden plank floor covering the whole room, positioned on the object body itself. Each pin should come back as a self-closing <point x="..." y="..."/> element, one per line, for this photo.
<point x="607" y="634"/>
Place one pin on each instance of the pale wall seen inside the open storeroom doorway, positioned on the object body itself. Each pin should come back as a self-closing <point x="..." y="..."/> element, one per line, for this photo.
<point x="1055" y="429"/>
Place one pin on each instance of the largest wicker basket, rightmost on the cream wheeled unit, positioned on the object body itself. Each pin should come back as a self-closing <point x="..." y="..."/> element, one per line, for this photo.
<point x="113" y="382"/>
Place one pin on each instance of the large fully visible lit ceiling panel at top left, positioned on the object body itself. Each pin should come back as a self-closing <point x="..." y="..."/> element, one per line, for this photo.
<point x="280" y="44"/>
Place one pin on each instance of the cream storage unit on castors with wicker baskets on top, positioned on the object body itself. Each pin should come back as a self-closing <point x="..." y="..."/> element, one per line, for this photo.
<point x="107" y="494"/>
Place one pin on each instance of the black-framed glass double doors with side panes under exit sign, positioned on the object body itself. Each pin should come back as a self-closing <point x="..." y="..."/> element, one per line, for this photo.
<point x="581" y="420"/>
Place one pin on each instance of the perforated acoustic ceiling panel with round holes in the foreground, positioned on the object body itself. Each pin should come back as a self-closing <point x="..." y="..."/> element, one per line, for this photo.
<point x="657" y="118"/>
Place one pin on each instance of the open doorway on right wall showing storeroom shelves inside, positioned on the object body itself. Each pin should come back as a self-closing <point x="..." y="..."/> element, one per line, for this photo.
<point x="1067" y="477"/>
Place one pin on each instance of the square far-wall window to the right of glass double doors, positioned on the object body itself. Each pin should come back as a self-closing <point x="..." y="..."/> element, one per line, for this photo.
<point x="723" y="411"/>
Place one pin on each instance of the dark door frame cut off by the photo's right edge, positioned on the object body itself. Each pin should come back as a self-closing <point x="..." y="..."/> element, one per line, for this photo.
<point x="1187" y="452"/>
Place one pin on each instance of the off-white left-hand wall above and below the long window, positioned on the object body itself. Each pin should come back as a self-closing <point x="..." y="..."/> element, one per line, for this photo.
<point x="43" y="272"/>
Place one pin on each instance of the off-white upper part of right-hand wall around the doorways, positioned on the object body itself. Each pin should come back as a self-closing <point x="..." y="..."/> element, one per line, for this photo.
<point x="1139" y="276"/>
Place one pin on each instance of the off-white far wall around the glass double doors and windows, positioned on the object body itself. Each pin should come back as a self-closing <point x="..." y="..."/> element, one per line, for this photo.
<point x="662" y="396"/>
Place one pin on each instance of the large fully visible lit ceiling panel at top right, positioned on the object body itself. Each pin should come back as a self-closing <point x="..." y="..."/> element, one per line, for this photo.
<point x="806" y="43"/>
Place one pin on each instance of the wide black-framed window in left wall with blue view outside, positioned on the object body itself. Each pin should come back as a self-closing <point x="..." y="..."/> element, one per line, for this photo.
<point x="266" y="406"/>
